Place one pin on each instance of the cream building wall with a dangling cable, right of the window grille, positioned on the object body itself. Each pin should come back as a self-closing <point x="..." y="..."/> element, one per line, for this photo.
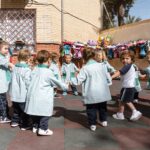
<point x="48" y="18"/>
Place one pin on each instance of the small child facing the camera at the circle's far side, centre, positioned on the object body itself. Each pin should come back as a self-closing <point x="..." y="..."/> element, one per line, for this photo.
<point x="68" y="71"/>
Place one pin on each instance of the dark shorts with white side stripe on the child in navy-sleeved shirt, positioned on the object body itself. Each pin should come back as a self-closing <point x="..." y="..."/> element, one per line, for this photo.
<point x="127" y="94"/>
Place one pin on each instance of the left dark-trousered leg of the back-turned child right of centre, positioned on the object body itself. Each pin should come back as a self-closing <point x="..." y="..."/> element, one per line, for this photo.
<point x="91" y="110"/>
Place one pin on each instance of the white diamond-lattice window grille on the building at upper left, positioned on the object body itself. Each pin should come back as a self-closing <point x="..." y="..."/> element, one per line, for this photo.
<point x="18" y="25"/>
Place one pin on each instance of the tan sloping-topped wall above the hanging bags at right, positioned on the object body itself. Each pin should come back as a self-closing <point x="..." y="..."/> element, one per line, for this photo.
<point x="139" y="30"/>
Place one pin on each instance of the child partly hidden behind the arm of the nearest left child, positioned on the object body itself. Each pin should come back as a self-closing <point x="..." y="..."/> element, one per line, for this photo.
<point x="55" y="69"/>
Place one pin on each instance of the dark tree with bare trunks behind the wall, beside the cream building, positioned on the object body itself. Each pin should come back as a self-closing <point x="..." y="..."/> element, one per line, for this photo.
<point x="116" y="8"/>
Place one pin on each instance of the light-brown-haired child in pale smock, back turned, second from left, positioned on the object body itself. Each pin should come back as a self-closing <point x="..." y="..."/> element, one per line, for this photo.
<point x="18" y="90"/>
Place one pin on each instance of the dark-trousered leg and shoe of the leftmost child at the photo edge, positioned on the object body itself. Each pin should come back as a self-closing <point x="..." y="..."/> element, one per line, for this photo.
<point x="3" y="108"/>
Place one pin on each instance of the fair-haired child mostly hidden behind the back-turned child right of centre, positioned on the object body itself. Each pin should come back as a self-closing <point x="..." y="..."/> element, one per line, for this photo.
<point x="100" y="57"/>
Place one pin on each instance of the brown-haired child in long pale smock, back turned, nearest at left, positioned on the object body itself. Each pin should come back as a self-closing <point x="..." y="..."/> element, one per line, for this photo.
<point x="40" y="94"/>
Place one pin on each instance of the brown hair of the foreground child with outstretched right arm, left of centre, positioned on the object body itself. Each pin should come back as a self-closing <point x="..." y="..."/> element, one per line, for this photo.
<point x="43" y="56"/>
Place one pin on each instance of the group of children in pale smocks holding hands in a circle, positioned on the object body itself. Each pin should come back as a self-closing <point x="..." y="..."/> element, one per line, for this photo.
<point x="32" y="89"/>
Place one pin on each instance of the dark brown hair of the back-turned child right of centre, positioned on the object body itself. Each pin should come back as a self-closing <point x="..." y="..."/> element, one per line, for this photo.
<point x="88" y="53"/>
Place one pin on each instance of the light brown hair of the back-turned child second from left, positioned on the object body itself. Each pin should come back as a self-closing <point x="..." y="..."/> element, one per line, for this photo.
<point x="24" y="55"/>
